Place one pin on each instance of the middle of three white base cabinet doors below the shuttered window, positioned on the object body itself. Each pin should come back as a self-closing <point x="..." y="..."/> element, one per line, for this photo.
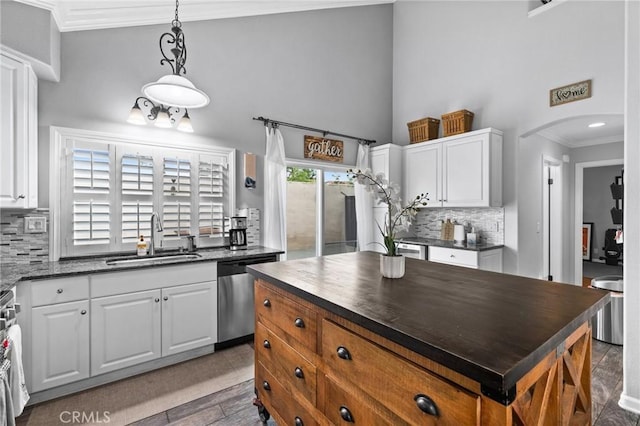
<point x="125" y="330"/>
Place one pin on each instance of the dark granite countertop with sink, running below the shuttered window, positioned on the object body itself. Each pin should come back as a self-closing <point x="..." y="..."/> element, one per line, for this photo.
<point x="10" y="275"/>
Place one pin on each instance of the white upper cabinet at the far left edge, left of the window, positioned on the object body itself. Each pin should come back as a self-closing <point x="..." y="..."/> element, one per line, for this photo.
<point x="18" y="134"/>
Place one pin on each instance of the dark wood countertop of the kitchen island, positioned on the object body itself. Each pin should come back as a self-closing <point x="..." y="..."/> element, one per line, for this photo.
<point x="490" y="327"/>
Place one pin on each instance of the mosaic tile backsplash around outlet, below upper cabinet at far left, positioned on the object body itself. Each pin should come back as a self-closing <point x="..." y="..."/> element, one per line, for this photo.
<point x="18" y="247"/>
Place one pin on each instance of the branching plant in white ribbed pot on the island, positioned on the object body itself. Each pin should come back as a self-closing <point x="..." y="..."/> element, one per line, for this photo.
<point x="397" y="217"/>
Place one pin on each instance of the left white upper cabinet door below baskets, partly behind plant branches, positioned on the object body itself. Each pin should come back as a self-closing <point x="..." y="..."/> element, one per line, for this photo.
<point x="423" y="173"/>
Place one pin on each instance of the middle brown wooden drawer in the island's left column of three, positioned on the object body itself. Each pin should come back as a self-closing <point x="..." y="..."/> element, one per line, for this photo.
<point x="287" y="365"/>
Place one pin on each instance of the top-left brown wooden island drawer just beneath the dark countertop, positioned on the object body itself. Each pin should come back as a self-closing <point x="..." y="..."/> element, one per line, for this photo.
<point x="298" y="323"/>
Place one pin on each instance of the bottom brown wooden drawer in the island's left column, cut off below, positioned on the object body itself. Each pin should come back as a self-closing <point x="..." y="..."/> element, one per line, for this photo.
<point x="273" y="394"/>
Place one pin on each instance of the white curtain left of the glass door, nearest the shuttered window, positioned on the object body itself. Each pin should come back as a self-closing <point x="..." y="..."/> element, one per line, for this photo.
<point x="275" y="191"/>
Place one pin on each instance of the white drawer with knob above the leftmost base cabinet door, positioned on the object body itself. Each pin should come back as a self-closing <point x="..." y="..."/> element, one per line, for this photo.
<point x="59" y="290"/>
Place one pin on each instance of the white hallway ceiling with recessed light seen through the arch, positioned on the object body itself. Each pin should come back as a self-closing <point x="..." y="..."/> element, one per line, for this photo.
<point x="575" y="132"/>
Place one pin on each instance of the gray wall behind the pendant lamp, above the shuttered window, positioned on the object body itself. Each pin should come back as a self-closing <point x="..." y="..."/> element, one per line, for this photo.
<point x="329" y="69"/>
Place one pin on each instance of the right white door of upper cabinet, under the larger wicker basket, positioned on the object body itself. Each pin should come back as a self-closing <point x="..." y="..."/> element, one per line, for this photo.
<point x="466" y="172"/>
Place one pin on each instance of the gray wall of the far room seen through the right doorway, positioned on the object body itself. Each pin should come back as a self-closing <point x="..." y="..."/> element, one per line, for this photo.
<point x="597" y="203"/>
